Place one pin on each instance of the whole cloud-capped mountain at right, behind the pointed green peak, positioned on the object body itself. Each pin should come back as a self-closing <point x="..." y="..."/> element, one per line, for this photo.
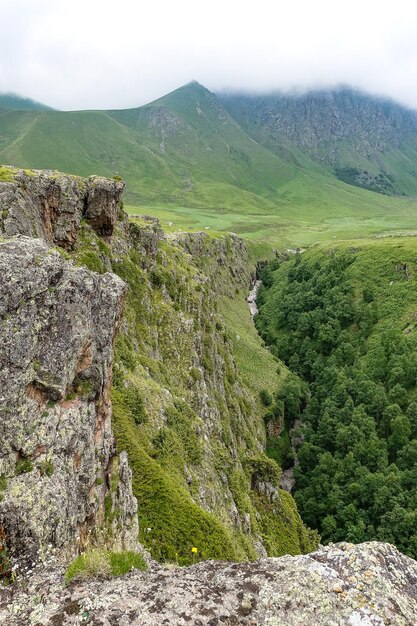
<point x="366" y="141"/>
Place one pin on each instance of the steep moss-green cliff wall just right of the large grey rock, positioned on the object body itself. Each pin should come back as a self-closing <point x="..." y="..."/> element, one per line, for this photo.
<point x="191" y="426"/>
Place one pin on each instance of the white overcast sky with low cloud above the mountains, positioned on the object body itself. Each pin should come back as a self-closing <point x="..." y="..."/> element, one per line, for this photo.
<point x="100" y="54"/>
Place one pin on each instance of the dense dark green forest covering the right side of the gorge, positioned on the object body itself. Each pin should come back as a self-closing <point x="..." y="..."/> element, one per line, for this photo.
<point x="343" y="319"/>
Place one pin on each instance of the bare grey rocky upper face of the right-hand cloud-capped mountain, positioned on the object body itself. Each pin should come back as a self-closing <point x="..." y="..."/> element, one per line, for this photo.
<point x="322" y="118"/>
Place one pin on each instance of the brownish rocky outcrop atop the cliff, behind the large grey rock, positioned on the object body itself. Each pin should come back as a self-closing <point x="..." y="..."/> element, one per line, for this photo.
<point x="50" y="205"/>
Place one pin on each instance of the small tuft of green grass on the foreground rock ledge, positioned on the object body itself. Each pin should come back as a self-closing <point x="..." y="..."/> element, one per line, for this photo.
<point x="98" y="563"/>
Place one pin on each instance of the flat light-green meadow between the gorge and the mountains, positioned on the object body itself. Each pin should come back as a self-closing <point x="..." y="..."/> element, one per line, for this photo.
<point x="311" y="210"/>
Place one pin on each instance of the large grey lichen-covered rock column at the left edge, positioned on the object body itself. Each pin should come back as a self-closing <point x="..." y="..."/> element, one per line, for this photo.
<point x="57" y="326"/>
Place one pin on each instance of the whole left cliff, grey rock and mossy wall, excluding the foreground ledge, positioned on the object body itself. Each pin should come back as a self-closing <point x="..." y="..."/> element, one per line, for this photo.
<point x="191" y="427"/>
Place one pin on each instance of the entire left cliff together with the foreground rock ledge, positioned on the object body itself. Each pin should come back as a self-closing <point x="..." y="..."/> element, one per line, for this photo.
<point x="115" y="335"/>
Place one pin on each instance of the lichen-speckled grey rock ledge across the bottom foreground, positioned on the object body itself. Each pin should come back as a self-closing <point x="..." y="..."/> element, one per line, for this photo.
<point x="341" y="585"/>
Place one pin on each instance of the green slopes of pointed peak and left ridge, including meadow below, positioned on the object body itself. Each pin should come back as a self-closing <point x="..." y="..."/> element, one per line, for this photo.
<point x="187" y="161"/>
